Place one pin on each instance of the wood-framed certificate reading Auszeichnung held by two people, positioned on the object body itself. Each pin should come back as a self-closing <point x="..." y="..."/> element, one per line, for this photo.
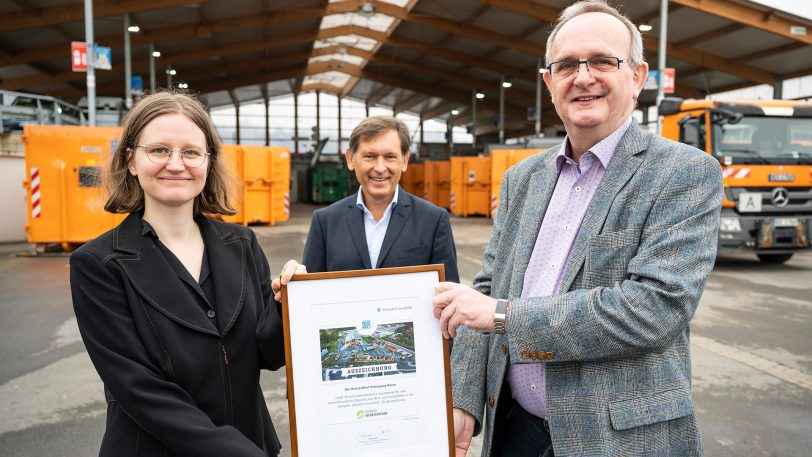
<point x="367" y="367"/>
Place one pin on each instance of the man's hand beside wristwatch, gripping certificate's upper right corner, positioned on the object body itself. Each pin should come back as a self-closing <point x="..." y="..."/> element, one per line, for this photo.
<point x="455" y="305"/>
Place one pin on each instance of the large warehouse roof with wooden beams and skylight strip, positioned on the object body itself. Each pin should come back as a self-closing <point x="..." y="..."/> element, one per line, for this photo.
<point x="422" y="56"/>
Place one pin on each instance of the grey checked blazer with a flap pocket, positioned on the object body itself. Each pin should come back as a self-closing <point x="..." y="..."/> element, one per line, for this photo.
<point x="616" y="344"/>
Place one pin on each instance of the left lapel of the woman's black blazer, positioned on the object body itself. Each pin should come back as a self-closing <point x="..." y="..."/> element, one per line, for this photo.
<point x="152" y="276"/>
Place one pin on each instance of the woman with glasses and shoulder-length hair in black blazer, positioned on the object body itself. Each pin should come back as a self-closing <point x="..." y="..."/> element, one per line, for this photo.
<point x="176" y="309"/>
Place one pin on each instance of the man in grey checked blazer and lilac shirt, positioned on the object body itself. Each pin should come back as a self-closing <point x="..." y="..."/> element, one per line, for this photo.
<point x="580" y="346"/>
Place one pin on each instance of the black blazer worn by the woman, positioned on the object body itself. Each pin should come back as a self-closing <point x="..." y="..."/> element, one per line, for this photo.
<point x="174" y="384"/>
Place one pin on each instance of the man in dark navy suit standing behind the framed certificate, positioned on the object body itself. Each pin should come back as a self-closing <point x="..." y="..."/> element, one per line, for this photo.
<point x="382" y="225"/>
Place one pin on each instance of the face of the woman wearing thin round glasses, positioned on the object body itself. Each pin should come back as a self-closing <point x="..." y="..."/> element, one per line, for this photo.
<point x="173" y="184"/>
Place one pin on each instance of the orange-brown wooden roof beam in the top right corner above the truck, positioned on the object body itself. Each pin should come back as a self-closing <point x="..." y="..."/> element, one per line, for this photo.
<point x="749" y="16"/>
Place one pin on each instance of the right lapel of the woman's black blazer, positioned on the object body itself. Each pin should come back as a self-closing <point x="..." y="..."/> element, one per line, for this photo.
<point x="227" y="261"/>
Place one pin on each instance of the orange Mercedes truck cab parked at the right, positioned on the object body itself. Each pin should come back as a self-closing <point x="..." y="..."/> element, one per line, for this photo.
<point x="765" y="150"/>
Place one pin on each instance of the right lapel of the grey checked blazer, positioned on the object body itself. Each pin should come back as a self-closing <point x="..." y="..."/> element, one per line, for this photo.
<point x="621" y="168"/>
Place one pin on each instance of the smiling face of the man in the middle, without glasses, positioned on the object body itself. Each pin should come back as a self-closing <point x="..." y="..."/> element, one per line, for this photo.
<point x="378" y="164"/>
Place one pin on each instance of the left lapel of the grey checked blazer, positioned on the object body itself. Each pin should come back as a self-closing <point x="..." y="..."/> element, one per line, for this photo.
<point x="540" y="186"/>
